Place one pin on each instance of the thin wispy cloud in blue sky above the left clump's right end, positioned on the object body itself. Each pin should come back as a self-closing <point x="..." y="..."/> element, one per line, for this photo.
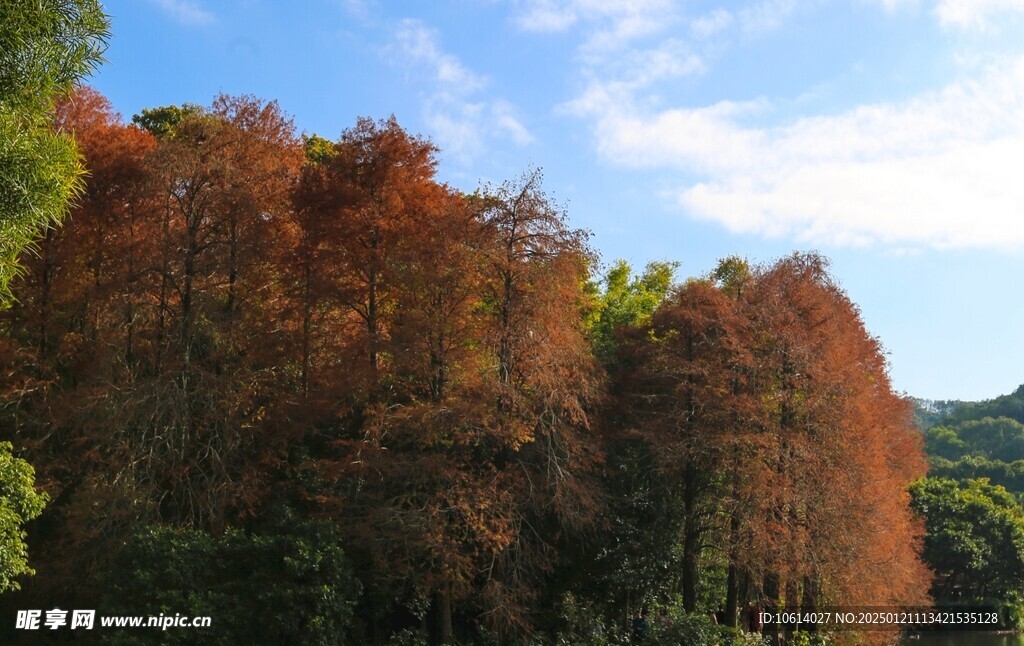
<point x="460" y="120"/>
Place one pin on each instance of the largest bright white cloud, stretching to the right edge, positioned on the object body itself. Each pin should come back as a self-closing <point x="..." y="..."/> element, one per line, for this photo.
<point x="942" y="170"/>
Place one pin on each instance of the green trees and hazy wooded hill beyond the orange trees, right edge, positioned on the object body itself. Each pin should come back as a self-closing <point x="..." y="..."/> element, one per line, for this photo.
<point x="971" y="503"/>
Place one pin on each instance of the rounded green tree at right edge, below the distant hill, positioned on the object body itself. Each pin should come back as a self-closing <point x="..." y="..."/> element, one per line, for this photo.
<point x="974" y="540"/>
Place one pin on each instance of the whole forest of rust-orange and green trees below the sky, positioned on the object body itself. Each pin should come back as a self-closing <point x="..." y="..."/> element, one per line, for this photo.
<point x="304" y="387"/>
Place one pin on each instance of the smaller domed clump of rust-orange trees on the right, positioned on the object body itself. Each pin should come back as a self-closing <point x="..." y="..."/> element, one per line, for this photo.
<point x="780" y="439"/>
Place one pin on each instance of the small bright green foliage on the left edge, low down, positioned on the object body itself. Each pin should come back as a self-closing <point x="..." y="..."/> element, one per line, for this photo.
<point x="20" y="503"/>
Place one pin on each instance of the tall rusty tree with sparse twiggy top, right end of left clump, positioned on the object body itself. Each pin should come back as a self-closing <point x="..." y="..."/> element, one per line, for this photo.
<point x="543" y="374"/>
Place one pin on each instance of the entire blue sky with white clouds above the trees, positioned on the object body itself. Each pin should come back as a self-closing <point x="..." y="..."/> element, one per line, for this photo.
<point x="887" y="135"/>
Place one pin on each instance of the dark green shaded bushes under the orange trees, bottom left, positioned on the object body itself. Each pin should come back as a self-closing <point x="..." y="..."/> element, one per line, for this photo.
<point x="258" y="588"/>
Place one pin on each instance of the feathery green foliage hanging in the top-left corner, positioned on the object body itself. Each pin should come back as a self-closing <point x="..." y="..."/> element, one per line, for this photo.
<point x="46" y="48"/>
